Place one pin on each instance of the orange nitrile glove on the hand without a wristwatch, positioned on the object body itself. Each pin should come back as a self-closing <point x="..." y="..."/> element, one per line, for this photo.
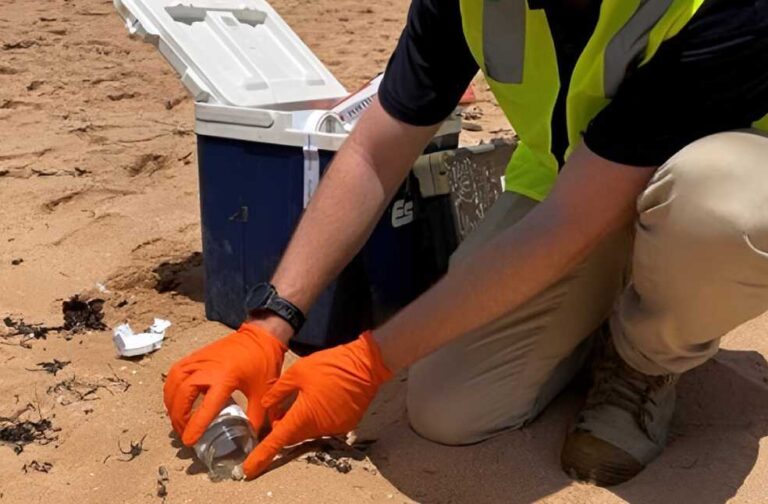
<point x="334" y="388"/>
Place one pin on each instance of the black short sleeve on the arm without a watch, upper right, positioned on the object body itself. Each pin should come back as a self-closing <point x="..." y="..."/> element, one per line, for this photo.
<point x="711" y="77"/>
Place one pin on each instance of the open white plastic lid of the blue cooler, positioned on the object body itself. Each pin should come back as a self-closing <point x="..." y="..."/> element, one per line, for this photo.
<point x="238" y="53"/>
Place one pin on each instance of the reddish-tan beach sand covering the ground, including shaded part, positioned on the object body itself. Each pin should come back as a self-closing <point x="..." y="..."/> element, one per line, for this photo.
<point x="98" y="185"/>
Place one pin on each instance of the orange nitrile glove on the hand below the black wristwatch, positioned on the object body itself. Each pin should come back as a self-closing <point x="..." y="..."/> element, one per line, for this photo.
<point x="248" y="360"/>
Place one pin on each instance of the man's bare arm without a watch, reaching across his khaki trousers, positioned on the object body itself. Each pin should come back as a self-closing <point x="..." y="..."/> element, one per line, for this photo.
<point x="591" y="198"/>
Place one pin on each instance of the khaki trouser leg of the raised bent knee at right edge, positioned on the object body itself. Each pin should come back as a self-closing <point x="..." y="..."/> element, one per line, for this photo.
<point x="701" y="253"/>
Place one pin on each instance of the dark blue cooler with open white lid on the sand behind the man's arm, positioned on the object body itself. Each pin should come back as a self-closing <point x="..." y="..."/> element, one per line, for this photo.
<point x="269" y="117"/>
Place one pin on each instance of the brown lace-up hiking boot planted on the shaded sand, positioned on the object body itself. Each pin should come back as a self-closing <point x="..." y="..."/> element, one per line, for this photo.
<point x="623" y="424"/>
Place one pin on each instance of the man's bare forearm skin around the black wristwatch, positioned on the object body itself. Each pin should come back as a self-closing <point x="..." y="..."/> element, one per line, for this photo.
<point x="365" y="174"/>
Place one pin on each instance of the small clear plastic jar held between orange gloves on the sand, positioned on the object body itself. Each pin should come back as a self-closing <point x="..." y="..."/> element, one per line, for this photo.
<point x="226" y="443"/>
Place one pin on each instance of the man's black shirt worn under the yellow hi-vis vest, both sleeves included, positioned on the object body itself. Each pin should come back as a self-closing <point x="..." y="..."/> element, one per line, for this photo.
<point x="711" y="77"/>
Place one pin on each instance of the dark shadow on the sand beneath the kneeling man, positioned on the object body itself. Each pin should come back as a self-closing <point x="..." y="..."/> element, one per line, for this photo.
<point x="721" y="416"/>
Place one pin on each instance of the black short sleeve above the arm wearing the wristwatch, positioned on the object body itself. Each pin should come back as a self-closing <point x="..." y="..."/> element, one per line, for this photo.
<point x="431" y="66"/>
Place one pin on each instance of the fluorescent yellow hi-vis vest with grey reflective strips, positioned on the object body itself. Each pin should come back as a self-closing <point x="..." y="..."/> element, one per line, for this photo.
<point x="514" y="48"/>
